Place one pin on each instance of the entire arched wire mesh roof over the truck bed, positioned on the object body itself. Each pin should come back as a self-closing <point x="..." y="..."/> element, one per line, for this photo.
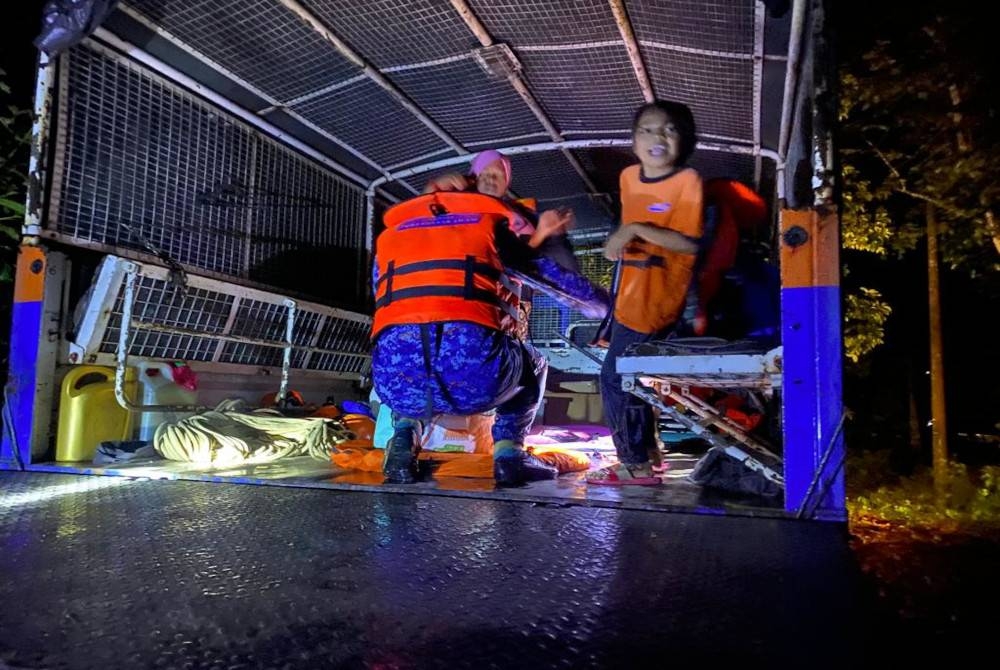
<point x="570" y="53"/>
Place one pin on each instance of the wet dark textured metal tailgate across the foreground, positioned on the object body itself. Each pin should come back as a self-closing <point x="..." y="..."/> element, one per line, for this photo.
<point x="113" y="572"/>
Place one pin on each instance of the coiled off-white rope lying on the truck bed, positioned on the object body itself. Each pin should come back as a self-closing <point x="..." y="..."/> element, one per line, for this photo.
<point x="230" y="435"/>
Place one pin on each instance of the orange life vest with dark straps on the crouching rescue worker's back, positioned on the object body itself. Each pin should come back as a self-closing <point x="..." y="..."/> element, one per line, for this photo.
<point x="438" y="261"/>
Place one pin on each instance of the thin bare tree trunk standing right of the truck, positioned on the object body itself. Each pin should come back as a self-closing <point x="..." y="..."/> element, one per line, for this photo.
<point x="939" y="426"/>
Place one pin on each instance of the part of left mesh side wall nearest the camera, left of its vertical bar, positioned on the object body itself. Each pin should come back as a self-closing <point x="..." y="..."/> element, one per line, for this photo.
<point x="138" y="157"/>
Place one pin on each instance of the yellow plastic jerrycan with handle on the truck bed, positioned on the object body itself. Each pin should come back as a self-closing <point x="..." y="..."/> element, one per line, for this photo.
<point x="89" y="413"/>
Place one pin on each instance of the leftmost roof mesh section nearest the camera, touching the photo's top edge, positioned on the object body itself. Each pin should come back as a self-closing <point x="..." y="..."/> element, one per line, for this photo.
<point x="260" y="41"/>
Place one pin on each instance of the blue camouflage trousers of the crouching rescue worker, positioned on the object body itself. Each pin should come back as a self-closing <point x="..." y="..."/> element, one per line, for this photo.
<point x="420" y="370"/>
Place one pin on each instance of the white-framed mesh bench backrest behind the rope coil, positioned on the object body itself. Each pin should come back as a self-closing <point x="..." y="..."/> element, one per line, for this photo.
<point x="212" y="321"/>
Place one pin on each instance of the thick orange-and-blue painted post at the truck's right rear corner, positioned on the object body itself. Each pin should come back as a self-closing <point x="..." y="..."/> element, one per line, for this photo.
<point x="812" y="394"/>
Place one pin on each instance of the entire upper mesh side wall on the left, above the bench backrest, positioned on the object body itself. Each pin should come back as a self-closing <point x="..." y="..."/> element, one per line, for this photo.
<point x="147" y="164"/>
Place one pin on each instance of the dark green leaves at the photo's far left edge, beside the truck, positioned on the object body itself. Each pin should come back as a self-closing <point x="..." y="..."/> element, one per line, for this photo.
<point x="15" y="134"/>
